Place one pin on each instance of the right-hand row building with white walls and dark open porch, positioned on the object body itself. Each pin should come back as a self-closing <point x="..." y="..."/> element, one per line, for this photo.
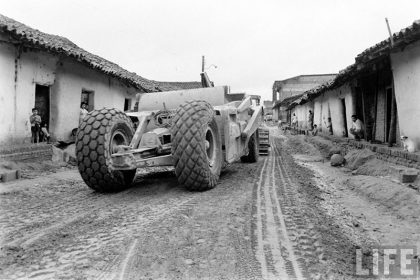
<point x="382" y="88"/>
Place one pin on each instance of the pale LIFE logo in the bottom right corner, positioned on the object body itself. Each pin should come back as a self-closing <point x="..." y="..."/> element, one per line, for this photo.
<point x="391" y="262"/>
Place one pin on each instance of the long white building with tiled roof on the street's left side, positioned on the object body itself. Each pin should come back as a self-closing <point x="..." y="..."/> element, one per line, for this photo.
<point x="54" y="75"/>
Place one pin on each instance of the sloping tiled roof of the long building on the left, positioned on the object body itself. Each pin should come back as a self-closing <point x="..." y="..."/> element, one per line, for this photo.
<point x="33" y="38"/>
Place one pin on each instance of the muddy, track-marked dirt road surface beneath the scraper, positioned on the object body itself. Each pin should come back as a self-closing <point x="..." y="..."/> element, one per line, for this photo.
<point x="262" y="221"/>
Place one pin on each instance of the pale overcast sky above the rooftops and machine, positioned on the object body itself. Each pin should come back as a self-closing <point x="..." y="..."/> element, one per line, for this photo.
<point x="252" y="43"/>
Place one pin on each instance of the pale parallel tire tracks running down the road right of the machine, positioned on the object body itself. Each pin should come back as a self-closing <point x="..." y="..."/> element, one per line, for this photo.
<point x="286" y="242"/>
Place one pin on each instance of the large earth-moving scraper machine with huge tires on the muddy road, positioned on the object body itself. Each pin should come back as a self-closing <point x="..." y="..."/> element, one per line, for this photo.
<point x="194" y="130"/>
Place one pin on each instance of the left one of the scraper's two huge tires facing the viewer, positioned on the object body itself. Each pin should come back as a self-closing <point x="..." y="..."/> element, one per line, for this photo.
<point x="98" y="134"/>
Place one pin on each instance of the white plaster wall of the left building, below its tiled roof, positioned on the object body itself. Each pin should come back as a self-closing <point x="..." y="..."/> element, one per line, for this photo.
<point x="66" y="78"/>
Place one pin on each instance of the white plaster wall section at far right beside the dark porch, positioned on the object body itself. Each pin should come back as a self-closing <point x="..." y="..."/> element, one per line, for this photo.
<point x="406" y="72"/>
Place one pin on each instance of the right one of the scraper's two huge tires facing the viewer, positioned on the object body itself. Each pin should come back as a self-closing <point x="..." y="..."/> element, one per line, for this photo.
<point x="196" y="146"/>
